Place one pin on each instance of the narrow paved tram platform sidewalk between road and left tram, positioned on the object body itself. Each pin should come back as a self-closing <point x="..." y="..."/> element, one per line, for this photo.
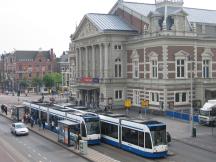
<point x="91" y="155"/>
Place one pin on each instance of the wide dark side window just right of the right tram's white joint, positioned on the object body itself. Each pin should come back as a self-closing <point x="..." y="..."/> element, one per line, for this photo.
<point x="130" y="135"/>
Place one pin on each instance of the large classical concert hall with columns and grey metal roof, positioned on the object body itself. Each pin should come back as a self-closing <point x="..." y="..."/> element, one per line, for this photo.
<point x="164" y="53"/>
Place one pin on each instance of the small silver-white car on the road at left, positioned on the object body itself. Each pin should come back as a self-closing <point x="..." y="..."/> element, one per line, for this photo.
<point x="19" y="129"/>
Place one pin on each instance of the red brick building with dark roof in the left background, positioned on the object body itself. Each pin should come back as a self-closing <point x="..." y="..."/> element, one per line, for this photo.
<point x="26" y="65"/>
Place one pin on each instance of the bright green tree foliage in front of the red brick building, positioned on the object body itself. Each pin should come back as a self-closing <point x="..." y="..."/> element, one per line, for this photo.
<point x="51" y="80"/>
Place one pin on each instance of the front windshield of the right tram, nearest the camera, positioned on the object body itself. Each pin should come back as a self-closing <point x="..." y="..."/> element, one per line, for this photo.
<point x="158" y="134"/>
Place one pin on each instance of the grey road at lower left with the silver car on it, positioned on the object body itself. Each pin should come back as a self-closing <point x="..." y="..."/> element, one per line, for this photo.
<point x="31" y="148"/>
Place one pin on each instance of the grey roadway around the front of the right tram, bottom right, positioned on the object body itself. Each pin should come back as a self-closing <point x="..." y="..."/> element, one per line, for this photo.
<point x="180" y="153"/>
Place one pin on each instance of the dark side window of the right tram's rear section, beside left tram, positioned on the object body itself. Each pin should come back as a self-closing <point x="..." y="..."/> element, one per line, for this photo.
<point x="109" y="130"/>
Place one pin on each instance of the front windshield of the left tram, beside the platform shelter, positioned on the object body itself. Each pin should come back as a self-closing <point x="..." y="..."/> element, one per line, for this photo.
<point x="92" y="125"/>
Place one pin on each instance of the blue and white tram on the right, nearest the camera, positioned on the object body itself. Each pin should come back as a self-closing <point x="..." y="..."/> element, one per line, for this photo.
<point x="145" y="138"/>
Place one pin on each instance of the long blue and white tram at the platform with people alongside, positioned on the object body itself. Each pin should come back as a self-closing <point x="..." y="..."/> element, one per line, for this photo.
<point x="89" y="122"/>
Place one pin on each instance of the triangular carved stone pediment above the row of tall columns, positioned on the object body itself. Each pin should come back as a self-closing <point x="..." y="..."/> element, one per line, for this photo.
<point x="85" y="29"/>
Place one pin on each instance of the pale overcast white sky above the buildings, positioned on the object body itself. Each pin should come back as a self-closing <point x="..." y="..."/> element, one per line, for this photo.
<point x="46" y="24"/>
